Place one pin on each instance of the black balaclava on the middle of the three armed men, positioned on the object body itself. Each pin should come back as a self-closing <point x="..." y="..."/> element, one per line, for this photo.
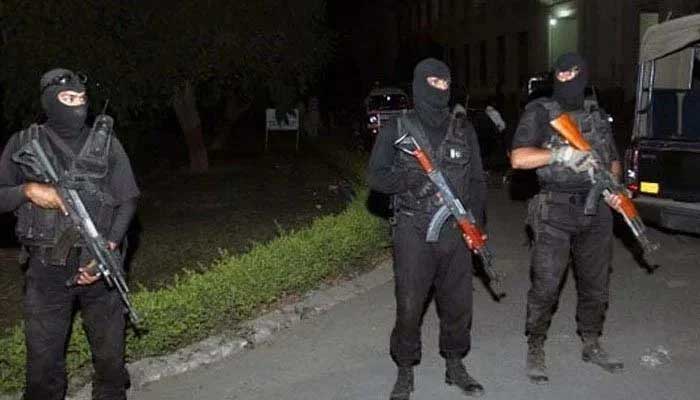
<point x="431" y="103"/>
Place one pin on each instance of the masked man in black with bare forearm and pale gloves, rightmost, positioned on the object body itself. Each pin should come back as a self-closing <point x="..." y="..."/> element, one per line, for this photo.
<point x="556" y="215"/>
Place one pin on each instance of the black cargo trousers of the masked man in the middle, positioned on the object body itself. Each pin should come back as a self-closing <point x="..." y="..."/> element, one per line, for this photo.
<point x="419" y="268"/>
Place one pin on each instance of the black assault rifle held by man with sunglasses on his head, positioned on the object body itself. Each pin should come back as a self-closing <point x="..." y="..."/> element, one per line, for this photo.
<point x="105" y="262"/>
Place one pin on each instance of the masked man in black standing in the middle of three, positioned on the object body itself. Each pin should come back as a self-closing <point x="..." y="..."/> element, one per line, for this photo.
<point x="420" y="267"/>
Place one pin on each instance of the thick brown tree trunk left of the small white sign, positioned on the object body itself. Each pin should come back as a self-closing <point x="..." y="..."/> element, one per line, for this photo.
<point x="185" y="105"/>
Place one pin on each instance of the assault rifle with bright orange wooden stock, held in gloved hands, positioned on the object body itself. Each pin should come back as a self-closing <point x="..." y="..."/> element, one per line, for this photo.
<point x="604" y="183"/>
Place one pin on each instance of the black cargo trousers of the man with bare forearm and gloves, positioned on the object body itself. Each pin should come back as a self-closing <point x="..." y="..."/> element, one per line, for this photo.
<point x="561" y="230"/>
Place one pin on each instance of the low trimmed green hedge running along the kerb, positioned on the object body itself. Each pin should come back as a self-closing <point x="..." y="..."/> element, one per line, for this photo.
<point x="199" y="304"/>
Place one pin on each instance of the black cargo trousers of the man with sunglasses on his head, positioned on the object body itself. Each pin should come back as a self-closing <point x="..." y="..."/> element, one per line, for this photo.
<point x="49" y="309"/>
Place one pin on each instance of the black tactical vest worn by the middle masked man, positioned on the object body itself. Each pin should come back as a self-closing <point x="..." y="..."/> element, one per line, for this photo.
<point x="452" y="157"/>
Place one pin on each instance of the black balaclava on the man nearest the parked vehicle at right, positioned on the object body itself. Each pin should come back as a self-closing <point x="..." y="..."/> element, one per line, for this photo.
<point x="570" y="94"/>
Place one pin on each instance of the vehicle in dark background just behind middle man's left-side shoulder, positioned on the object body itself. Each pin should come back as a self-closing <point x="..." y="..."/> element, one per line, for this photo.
<point x="382" y="104"/>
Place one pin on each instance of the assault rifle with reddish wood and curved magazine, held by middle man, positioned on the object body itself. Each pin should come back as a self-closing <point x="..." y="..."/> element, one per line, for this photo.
<point x="452" y="206"/>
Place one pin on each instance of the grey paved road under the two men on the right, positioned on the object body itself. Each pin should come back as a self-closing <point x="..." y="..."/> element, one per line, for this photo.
<point x="343" y="354"/>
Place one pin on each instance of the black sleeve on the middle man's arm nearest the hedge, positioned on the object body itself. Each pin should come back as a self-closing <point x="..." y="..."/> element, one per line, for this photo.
<point x="382" y="175"/>
